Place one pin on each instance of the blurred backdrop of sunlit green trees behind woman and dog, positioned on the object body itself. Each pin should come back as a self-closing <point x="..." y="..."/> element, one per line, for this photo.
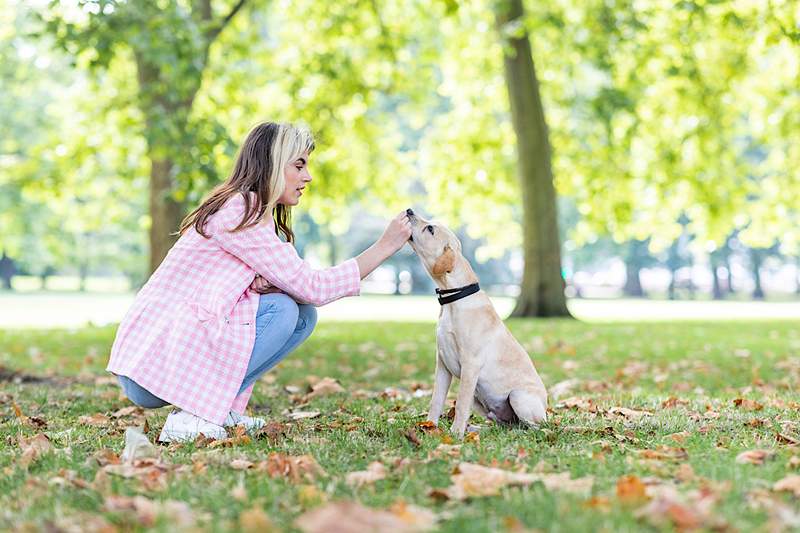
<point x="672" y="130"/>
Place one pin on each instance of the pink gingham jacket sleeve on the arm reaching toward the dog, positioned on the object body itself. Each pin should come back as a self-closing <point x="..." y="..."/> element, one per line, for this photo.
<point x="276" y="261"/>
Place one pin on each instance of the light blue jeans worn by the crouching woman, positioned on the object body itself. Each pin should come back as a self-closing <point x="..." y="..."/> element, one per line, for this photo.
<point x="281" y="326"/>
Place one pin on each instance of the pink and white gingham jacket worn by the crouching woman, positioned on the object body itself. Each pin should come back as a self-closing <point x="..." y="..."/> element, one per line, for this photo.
<point x="189" y="334"/>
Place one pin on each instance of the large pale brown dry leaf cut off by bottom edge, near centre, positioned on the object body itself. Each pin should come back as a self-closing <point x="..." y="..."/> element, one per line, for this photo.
<point x="352" y="517"/>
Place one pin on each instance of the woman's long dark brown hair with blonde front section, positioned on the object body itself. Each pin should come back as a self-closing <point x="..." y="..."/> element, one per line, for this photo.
<point x="259" y="168"/>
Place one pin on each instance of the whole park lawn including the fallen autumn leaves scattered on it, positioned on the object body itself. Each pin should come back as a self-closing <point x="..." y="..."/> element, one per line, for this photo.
<point x="656" y="425"/>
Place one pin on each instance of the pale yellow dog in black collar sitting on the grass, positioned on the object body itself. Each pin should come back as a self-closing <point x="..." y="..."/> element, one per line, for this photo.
<point x="498" y="379"/>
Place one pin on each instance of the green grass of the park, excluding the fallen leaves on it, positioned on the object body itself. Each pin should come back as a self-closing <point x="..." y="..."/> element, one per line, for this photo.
<point x="634" y="365"/>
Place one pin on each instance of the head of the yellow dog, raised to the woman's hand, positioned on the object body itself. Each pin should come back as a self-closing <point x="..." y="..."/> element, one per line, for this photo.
<point x="437" y="247"/>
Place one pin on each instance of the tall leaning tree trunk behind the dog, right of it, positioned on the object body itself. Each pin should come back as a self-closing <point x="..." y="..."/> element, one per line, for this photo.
<point x="542" y="290"/>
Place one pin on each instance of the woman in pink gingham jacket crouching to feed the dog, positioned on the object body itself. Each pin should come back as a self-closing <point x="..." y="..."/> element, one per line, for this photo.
<point x="232" y="298"/>
